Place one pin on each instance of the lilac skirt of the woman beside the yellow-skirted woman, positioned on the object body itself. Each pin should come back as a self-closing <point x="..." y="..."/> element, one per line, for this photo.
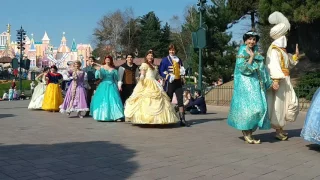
<point x="78" y="104"/>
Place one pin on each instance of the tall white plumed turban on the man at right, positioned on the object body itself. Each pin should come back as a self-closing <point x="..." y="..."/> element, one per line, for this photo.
<point x="282" y="25"/>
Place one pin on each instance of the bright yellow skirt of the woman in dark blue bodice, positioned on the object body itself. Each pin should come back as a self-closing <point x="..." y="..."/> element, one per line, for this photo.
<point x="52" y="98"/>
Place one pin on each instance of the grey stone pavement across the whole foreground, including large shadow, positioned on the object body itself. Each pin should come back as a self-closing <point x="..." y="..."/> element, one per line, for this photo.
<point x="42" y="145"/>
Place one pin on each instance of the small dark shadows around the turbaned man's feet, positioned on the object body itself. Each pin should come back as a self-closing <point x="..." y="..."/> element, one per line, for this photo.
<point x="270" y="137"/>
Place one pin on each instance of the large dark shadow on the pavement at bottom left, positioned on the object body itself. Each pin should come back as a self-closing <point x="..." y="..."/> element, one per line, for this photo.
<point x="76" y="160"/>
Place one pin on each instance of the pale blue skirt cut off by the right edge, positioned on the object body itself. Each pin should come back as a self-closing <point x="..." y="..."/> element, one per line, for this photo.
<point x="311" y="129"/>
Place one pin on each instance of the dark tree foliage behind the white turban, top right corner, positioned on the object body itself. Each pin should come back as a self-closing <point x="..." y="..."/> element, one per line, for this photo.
<point x="304" y="17"/>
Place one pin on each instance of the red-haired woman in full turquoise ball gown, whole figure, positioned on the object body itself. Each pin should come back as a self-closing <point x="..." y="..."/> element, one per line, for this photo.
<point x="106" y="104"/>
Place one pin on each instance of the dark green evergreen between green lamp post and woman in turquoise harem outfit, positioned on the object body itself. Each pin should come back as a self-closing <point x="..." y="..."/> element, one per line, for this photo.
<point x="219" y="59"/>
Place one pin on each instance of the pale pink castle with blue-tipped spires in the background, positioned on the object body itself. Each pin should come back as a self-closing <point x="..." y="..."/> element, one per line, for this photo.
<point x="42" y="53"/>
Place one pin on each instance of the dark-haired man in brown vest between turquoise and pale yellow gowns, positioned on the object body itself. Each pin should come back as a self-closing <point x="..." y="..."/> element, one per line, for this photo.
<point x="128" y="74"/>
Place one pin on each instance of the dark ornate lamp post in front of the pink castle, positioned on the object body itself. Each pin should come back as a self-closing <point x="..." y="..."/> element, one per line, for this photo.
<point x="21" y="37"/>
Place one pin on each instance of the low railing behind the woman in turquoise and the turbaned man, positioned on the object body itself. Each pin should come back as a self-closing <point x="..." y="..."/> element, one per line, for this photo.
<point x="222" y="95"/>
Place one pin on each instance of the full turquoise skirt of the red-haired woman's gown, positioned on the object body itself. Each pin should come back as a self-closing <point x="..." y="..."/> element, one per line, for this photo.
<point x="106" y="104"/>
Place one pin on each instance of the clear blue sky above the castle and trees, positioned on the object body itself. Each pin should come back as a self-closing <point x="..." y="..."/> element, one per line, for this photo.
<point x="78" y="18"/>
